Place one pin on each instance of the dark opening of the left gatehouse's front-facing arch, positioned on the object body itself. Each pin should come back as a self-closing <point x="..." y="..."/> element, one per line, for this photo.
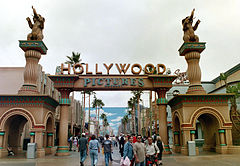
<point x="17" y="134"/>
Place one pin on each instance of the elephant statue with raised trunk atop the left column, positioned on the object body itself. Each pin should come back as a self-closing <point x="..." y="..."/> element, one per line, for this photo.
<point x="37" y="27"/>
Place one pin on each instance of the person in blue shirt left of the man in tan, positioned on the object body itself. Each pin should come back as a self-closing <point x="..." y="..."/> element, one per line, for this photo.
<point x="128" y="150"/>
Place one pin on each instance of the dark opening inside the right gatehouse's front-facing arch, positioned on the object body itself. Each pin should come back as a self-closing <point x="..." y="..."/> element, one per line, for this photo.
<point x="206" y="135"/>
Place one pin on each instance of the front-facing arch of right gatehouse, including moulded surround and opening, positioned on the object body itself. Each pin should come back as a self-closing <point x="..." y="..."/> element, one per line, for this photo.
<point x="211" y="122"/>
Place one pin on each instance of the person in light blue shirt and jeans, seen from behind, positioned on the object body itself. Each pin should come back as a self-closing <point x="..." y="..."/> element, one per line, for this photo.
<point x="94" y="150"/>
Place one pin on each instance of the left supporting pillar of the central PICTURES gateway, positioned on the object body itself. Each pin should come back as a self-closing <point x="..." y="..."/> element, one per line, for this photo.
<point x="63" y="149"/>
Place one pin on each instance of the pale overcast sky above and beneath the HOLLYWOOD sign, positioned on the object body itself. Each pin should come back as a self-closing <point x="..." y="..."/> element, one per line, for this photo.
<point x="123" y="31"/>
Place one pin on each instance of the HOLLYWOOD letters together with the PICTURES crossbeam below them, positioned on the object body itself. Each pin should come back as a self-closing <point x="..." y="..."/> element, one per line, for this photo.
<point x="78" y="77"/>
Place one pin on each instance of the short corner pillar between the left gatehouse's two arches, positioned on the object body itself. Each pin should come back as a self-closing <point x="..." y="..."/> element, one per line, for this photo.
<point x="39" y="141"/>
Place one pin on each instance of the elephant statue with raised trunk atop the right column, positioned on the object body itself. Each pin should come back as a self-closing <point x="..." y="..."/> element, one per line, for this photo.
<point x="188" y="29"/>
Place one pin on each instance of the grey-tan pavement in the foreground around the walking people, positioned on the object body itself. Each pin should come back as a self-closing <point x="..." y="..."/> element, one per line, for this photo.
<point x="204" y="159"/>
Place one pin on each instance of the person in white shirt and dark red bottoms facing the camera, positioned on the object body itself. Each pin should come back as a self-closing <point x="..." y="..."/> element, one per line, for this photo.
<point x="152" y="152"/>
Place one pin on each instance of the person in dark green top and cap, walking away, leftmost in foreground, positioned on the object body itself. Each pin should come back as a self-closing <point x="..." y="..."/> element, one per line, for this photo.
<point x="83" y="148"/>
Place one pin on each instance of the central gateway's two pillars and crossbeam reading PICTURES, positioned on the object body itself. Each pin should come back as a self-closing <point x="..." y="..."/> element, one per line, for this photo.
<point x="68" y="83"/>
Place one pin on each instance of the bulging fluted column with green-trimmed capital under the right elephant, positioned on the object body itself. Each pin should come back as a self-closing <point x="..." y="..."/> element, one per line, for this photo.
<point x="192" y="51"/>
